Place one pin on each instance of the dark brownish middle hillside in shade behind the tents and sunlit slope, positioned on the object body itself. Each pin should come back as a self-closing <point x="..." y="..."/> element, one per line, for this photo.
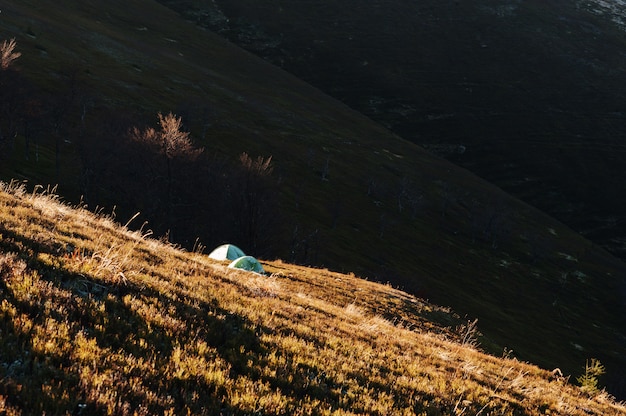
<point x="352" y="196"/>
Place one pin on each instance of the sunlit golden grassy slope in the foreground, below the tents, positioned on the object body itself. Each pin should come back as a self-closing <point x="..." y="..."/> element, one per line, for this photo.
<point x="96" y="319"/>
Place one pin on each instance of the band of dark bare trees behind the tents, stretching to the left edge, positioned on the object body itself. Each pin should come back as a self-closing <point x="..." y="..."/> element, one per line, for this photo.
<point x="182" y="191"/>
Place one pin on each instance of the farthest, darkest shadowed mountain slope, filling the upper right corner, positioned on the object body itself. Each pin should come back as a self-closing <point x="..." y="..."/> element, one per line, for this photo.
<point x="527" y="94"/>
